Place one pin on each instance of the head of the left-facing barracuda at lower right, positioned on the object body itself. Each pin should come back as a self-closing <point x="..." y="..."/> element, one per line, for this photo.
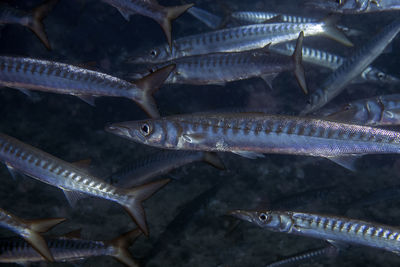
<point x="264" y="219"/>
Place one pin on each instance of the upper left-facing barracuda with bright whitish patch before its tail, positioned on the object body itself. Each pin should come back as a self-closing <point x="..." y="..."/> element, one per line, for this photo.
<point x="239" y="39"/>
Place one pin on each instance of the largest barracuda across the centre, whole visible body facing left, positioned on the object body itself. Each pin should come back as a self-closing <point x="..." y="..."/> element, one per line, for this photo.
<point x="251" y="134"/>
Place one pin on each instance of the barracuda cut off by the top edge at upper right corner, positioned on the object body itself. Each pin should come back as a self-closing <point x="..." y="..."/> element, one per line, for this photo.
<point x="355" y="6"/>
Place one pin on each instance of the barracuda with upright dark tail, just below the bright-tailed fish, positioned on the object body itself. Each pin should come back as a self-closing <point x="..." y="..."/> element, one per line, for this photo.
<point x="220" y="68"/>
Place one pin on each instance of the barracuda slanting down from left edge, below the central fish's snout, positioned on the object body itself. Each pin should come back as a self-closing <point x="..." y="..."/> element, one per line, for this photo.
<point x="75" y="182"/>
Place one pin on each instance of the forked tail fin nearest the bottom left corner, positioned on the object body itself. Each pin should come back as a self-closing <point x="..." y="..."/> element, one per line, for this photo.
<point x="36" y="240"/>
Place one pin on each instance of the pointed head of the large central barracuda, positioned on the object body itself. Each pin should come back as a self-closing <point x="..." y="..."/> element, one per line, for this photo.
<point x="148" y="132"/>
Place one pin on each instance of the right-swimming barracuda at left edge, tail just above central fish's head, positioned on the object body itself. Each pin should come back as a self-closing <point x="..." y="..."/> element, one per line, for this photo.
<point x="49" y="76"/>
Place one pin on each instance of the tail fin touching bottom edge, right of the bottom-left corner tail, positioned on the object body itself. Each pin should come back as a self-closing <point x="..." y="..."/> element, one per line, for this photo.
<point x="121" y="245"/>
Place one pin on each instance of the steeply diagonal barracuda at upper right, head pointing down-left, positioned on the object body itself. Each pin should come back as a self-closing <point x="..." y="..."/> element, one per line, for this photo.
<point x="352" y="68"/>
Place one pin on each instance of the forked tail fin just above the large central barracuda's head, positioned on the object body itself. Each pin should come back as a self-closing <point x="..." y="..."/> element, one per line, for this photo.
<point x="148" y="85"/>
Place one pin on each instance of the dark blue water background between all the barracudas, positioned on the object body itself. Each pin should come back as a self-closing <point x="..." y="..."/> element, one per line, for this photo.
<point x="186" y="219"/>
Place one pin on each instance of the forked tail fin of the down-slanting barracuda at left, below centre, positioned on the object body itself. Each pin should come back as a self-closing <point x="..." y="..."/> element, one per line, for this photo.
<point x="139" y="194"/>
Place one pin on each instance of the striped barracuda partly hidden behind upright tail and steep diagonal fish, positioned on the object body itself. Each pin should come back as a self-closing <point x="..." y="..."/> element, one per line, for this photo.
<point x="333" y="61"/>
